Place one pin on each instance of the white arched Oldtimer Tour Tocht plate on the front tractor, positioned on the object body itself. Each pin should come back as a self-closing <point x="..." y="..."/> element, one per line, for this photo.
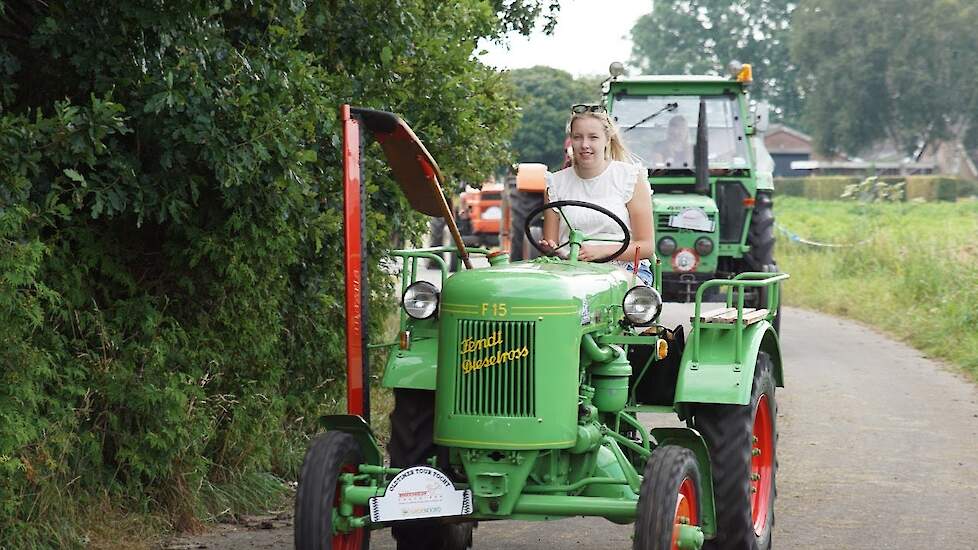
<point x="420" y="492"/>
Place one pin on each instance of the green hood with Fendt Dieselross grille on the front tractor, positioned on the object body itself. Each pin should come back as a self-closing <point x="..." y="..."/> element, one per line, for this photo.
<point x="509" y="343"/>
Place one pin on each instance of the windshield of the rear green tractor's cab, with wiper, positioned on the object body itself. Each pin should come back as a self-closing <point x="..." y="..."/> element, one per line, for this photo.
<point x="661" y="130"/>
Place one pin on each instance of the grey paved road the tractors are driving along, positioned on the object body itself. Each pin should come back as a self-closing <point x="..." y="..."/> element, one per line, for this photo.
<point x="878" y="449"/>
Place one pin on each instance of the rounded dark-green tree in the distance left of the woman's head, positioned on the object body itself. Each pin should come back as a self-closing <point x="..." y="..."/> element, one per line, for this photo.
<point x="545" y="95"/>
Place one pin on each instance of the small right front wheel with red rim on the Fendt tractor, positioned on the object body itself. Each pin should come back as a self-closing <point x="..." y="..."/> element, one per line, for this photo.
<point x="670" y="498"/>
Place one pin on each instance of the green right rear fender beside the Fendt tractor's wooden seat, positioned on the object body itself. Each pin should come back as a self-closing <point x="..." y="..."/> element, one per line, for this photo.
<point x="721" y="377"/>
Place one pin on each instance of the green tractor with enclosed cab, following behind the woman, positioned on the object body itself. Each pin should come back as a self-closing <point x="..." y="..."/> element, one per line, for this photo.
<point x="701" y="143"/>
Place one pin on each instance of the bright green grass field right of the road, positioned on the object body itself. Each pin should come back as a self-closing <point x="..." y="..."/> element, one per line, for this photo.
<point x="910" y="269"/>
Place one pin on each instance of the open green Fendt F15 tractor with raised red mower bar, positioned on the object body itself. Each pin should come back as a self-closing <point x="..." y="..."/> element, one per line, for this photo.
<point x="518" y="389"/>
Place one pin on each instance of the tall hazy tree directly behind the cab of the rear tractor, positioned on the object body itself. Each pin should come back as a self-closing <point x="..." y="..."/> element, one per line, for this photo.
<point x="703" y="36"/>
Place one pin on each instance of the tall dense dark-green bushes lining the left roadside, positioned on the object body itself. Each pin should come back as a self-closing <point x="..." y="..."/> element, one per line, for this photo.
<point x="170" y="243"/>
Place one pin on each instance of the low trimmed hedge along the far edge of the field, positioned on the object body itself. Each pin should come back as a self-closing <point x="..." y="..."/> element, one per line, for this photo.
<point x="929" y="187"/>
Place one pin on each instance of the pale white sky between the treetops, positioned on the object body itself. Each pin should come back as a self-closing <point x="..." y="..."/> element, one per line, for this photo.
<point x="588" y="37"/>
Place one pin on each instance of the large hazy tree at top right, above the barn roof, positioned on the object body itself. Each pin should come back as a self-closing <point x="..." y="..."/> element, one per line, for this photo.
<point x="894" y="69"/>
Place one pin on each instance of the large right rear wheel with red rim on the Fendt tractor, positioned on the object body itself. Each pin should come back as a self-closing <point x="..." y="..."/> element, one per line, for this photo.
<point x="742" y="440"/>
